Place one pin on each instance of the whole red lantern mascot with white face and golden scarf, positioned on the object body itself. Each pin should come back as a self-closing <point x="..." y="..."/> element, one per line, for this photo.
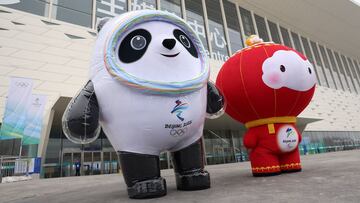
<point x="266" y="86"/>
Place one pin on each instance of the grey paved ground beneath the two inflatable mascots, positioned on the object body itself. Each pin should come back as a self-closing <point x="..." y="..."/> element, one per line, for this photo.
<point x="330" y="177"/>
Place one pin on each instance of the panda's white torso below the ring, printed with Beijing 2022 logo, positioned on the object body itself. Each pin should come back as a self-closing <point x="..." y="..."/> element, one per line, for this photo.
<point x="143" y="123"/>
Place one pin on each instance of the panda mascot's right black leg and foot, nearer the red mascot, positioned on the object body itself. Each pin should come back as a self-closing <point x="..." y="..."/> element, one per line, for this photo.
<point x="189" y="168"/>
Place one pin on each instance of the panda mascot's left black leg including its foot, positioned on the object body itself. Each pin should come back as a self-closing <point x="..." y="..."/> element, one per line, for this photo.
<point x="142" y="175"/>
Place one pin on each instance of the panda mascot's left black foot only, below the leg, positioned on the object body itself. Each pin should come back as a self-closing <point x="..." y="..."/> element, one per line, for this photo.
<point x="148" y="189"/>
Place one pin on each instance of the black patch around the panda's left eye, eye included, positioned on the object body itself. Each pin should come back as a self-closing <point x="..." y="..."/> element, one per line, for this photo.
<point x="134" y="45"/>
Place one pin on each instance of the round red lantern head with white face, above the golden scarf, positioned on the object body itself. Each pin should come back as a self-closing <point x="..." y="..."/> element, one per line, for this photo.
<point x="266" y="80"/>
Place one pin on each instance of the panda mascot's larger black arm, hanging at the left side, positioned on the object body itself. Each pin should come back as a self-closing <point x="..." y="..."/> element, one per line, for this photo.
<point x="81" y="117"/>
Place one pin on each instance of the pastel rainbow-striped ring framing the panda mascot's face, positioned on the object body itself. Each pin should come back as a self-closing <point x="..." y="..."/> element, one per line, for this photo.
<point x="135" y="18"/>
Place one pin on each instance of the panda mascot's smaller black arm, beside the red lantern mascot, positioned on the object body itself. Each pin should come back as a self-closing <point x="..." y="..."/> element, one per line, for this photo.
<point x="215" y="101"/>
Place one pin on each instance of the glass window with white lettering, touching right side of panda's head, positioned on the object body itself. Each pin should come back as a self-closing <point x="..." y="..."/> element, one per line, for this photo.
<point x="195" y="18"/>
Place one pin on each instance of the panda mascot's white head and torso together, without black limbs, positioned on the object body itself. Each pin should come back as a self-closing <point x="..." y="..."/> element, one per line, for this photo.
<point x="152" y="96"/>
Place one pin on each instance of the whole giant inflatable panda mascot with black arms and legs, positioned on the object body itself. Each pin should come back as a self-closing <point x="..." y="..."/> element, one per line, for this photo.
<point x="149" y="92"/>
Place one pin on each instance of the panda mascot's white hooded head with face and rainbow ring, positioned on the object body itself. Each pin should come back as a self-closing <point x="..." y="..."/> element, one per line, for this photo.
<point x="150" y="50"/>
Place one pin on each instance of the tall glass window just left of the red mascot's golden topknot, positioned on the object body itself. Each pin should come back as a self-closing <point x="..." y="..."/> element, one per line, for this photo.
<point x="233" y="25"/>
